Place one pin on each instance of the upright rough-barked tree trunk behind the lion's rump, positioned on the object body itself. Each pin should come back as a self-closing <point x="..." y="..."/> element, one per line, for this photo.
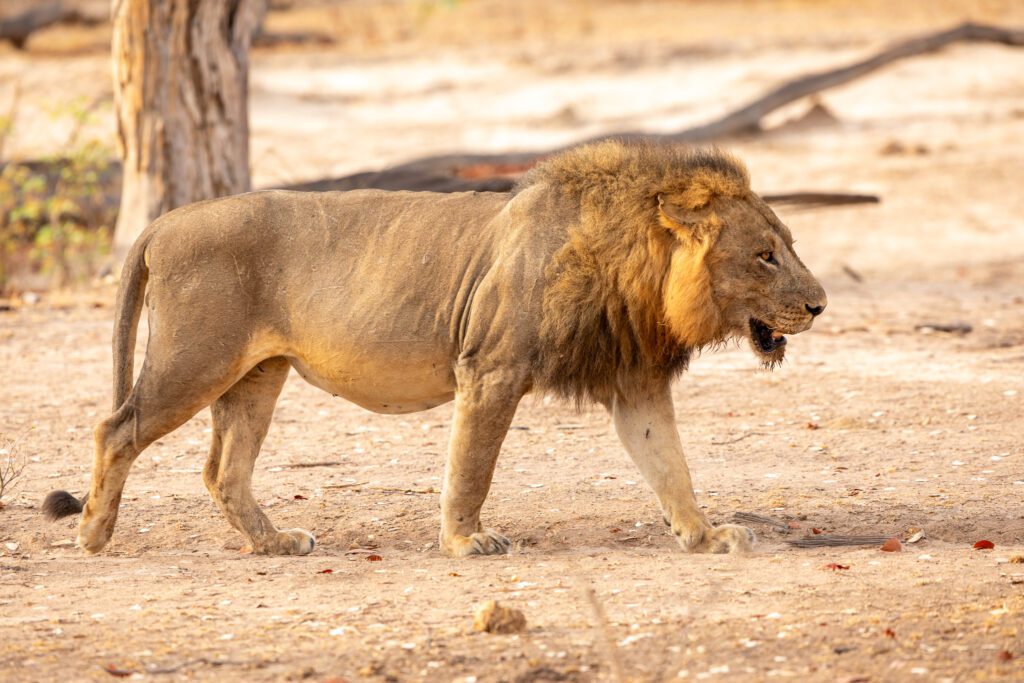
<point x="181" y="83"/>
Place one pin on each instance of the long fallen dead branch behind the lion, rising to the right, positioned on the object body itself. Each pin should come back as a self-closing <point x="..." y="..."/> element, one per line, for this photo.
<point x="449" y="173"/>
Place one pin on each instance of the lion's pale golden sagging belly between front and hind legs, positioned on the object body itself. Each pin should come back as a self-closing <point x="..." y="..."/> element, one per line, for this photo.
<point x="407" y="381"/>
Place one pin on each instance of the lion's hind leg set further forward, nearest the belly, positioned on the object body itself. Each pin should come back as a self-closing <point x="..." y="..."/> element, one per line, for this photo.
<point x="241" y="419"/>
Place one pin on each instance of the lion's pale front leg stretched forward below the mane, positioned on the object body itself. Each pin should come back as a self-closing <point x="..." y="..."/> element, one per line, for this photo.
<point x="647" y="425"/>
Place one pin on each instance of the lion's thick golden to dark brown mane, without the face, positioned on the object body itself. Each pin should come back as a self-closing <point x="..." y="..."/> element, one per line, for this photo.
<point x="604" y="325"/>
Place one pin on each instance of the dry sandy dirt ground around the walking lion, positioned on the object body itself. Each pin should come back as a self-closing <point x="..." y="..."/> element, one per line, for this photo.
<point x="873" y="426"/>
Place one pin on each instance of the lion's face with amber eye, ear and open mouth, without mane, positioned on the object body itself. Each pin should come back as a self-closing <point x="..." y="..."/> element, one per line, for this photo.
<point x="752" y="276"/>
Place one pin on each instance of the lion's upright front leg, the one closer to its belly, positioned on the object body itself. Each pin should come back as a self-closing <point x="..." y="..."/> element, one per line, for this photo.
<point x="485" y="407"/>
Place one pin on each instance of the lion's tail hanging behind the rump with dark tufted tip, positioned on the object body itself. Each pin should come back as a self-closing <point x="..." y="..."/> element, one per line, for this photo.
<point x="132" y="293"/>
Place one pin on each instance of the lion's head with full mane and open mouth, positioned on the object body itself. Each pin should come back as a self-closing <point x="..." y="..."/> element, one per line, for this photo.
<point x="669" y="251"/>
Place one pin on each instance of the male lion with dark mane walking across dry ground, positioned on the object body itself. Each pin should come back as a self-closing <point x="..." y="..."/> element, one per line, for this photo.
<point x="596" y="279"/>
